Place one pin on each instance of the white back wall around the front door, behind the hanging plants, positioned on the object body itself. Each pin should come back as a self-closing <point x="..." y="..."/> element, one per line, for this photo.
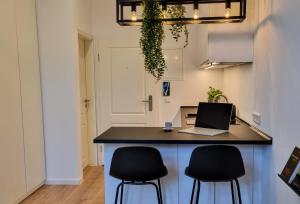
<point x="188" y="92"/>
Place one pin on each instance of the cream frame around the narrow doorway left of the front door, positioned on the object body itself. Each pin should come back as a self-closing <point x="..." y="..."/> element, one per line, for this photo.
<point x="91" y="87"/>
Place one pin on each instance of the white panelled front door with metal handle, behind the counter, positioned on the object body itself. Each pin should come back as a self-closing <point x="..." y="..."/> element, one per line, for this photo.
<point x="133" y="91"/>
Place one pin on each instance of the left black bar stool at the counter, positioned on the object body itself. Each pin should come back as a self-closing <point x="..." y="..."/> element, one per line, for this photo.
<point x="138" y="166"/>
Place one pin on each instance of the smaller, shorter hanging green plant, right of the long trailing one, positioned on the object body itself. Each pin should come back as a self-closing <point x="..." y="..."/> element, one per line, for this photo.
<point x="178" y="11"/>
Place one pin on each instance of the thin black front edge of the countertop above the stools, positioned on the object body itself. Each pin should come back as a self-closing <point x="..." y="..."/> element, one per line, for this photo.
<point x="175" y="142"/>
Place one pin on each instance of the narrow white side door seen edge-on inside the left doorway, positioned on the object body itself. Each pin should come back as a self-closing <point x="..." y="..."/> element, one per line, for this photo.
<point x="84" y="103"/>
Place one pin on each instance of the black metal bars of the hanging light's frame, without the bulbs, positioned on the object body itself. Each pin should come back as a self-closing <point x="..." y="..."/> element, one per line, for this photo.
<point x="122" y="4"/>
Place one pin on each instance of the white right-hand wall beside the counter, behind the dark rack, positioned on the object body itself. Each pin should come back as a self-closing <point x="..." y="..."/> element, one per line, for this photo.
<point x="271" y="86"/>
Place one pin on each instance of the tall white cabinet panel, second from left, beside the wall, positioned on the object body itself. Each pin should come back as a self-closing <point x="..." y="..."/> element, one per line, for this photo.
<point x="31" y="92"/>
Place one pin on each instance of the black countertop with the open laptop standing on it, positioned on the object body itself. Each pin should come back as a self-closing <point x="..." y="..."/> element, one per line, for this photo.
<point x="238" y="134"/>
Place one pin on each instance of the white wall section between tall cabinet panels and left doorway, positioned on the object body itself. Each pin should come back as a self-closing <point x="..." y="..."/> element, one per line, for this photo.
<point x="58" y="22"/>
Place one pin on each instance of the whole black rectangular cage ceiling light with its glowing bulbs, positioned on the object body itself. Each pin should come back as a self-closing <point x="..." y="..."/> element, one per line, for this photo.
<point x="190" y="18"/>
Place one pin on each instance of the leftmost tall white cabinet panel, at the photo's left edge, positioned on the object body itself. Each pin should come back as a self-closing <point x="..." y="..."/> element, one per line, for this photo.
<point x="12" y="169"/>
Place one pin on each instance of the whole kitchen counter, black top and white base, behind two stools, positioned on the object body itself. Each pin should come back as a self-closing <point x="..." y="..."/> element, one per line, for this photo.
<point x="176" y="149"/>
